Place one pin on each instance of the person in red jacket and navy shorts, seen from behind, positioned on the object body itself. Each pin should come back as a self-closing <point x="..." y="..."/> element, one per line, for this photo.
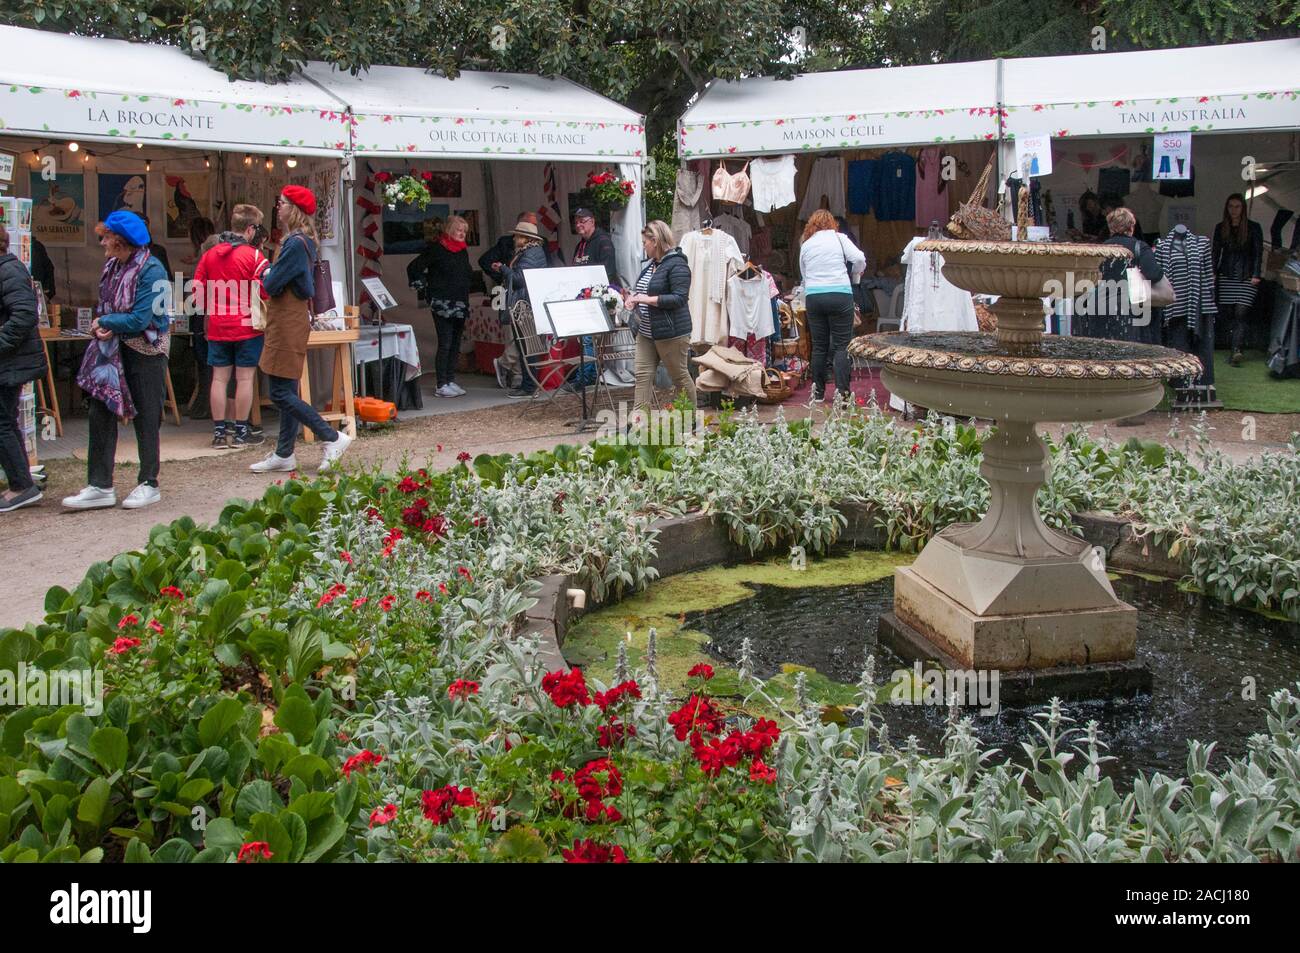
<point x="226" y="280"/>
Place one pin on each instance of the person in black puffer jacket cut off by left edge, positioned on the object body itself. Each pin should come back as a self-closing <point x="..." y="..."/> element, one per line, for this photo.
<point x="23" y="359"/>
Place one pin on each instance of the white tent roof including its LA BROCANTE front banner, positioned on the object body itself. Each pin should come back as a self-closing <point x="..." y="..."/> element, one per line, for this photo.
<point x="97" y="88"/>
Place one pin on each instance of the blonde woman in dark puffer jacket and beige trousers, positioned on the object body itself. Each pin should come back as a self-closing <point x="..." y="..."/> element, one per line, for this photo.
<point x="664" y="319"/>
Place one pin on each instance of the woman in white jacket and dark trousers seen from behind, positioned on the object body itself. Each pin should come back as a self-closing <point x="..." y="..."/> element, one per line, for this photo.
<point x="830" y="265"/>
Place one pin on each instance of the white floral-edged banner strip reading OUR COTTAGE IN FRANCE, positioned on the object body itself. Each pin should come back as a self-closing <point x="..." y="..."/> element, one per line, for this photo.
<point x="465" y="136"/>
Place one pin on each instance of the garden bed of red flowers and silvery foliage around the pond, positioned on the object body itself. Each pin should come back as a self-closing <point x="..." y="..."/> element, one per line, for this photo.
<point x="335" y="673"/>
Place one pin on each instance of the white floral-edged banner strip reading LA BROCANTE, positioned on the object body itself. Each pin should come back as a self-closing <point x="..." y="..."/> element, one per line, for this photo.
<point x="47" y="111"/>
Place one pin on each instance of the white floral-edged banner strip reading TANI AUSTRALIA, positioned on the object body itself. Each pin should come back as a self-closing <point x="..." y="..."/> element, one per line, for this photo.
<point x="1279" y="110"/>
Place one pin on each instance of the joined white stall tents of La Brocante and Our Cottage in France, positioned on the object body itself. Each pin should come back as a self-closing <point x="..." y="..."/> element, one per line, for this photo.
<point x="92" y="131"/>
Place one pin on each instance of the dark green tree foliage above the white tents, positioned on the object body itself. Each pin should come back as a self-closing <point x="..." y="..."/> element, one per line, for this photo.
<point x="653" y="55"/>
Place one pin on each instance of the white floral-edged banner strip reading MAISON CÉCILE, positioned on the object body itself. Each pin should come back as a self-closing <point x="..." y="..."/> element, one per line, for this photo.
<point x="855" y="131"/>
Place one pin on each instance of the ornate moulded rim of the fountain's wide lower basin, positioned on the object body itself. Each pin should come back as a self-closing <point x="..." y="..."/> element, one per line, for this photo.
<point x="907" y="350"/>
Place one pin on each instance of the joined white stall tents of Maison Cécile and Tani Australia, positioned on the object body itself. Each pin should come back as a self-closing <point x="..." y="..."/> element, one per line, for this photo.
<point x="895" y="154"/>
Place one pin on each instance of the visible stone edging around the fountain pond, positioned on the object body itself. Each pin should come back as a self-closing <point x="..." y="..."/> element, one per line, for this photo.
<point x="697" y="542"/>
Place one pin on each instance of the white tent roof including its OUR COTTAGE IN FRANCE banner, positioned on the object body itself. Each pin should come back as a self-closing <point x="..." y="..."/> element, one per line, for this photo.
<point x="406" y="111"/>
